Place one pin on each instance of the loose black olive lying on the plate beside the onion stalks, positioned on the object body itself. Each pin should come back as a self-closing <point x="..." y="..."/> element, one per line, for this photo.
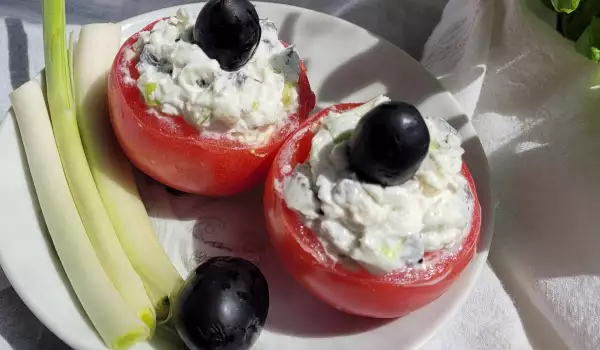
<point x="222" y="305"/>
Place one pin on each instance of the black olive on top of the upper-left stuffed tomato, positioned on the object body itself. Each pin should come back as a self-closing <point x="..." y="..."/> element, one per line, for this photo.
<point x="228" y="31"/>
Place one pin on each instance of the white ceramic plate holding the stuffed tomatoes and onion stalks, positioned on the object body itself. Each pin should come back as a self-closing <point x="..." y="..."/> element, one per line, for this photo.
<point x="345" y="63"/>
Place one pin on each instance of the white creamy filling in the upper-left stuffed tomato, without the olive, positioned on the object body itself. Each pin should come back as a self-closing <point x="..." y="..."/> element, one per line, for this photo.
<point x="179" y="79"/>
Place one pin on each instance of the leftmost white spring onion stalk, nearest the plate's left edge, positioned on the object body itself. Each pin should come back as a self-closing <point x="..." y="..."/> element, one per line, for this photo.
<point x="116" y="323"/>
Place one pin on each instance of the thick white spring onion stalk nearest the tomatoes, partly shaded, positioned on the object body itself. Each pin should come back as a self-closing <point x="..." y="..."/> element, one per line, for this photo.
<point x="97" y="46"/>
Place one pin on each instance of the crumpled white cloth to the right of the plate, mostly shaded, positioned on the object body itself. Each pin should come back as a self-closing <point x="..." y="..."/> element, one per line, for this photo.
<point x="534" y="103"/>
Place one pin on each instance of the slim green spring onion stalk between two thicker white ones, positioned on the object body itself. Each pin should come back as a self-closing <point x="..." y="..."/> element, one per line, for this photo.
<point x="91" y="209"/>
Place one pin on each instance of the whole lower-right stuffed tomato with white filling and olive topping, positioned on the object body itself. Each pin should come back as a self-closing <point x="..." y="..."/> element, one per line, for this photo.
<point x="371" y="208"/>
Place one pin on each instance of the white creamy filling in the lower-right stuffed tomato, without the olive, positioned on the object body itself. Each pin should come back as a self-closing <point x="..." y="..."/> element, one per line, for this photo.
<point x="381" y="228"/>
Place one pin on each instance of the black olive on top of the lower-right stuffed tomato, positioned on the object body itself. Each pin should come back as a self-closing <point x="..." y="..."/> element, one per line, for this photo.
<point x="388" y="144"/>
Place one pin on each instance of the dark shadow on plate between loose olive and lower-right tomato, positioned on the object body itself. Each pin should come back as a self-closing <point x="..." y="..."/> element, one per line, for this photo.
<point x="235" y="226"/>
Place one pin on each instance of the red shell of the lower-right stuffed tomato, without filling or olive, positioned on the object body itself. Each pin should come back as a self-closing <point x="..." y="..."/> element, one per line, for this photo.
<point x="355" y="292"/>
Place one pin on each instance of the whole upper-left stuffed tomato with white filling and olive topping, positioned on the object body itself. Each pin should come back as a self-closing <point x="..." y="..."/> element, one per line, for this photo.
<point x="203" y="107"/>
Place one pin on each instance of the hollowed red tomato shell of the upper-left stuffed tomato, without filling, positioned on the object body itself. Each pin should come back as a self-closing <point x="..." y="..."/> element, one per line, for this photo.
<point x="173" y="152"/>
